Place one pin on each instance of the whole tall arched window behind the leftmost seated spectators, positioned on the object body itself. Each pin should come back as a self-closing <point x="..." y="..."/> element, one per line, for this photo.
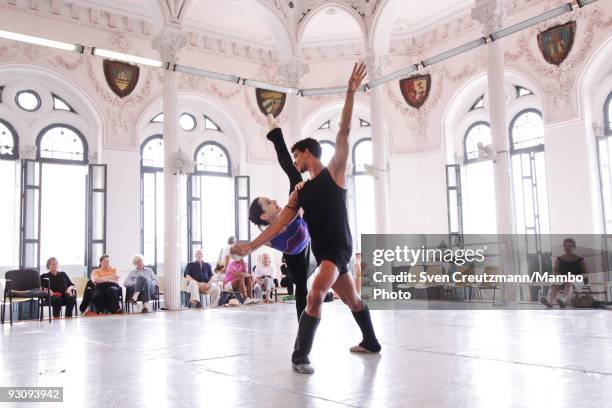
<point x="63" y="151"/>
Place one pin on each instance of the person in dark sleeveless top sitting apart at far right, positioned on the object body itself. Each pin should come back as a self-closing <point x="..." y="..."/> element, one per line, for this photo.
<point x="567" y="264"/>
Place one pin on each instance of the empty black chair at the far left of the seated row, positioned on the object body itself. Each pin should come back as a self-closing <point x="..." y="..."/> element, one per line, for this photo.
<point x="24" y="285"/>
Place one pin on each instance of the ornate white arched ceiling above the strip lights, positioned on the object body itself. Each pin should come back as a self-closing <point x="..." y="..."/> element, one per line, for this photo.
<point x="326" y="29"/>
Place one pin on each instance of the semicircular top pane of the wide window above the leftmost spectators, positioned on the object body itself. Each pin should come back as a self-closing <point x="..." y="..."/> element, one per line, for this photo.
<point x="61" y="143"/>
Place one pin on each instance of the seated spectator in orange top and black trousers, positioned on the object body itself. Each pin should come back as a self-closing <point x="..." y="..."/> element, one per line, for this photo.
<point x="106" y="287"/>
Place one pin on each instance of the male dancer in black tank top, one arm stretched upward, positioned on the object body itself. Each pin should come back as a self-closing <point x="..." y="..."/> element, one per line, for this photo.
<point x="323" y="198"/>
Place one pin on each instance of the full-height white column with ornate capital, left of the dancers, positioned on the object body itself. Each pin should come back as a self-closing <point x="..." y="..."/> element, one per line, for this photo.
<point x="169" y="43"/>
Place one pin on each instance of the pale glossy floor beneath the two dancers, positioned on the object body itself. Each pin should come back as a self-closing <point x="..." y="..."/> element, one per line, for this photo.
<point x="240" y="358"/>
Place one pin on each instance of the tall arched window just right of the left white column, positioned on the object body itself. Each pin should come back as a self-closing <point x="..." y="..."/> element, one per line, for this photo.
<point x="212" y="200"/>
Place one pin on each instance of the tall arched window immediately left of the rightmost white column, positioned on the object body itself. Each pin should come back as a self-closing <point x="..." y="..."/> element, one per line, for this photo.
<point x="478" y="192"/>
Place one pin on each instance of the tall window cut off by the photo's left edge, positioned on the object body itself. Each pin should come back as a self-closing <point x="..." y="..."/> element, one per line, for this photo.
<point x="9" y="204"/>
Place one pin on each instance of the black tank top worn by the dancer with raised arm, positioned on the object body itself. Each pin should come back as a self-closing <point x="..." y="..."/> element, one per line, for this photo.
<point x="324" y="204"/>
